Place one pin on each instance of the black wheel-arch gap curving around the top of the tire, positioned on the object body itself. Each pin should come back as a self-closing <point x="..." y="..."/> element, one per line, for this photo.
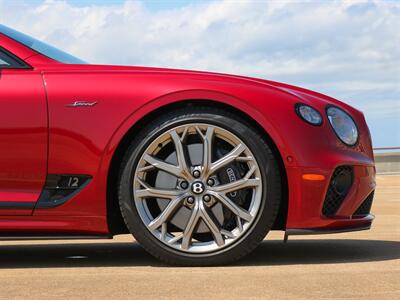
<point x="114" y="217"/>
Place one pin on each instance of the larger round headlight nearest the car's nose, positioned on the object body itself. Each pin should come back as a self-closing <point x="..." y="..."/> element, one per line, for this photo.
<point x="343" y="125"/>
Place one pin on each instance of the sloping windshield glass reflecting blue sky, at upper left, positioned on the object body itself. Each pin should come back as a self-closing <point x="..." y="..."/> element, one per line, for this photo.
<point x="40" y="47"/>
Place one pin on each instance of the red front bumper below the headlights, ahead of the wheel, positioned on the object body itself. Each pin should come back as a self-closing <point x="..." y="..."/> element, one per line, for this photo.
<point x="307" y="198"/>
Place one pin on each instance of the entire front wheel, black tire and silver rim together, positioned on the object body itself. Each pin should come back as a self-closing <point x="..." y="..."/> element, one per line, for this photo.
<point x="199" y="186"/>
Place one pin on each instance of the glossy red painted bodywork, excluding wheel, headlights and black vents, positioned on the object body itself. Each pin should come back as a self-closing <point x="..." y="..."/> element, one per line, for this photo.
<point x="60" y="139"/>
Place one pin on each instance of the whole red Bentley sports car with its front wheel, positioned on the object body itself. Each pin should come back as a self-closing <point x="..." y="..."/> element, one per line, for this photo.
<point x="198" y="166"/>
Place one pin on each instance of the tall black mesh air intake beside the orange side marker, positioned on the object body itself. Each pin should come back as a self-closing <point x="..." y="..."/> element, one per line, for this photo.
<point x="339" y="187"/>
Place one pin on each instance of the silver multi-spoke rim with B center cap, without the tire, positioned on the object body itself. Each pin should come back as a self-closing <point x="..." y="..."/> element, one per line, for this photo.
<point x="197" y="188"/>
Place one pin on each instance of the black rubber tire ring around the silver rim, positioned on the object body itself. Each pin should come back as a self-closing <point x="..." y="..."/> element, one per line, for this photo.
<point x="270" y="175"/>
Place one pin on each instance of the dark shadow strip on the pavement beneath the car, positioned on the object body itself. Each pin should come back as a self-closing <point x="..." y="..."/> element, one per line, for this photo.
<point x="131" y="254"/>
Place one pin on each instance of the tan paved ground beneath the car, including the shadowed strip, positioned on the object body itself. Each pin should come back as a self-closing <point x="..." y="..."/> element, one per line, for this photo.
<point x="362" y="264"/>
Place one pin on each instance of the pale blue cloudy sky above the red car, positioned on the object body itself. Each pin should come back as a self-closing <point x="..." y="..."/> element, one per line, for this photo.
<point x="349" y="49"/>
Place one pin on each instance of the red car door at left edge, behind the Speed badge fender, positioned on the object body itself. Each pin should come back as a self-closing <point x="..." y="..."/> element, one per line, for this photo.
<point x="23" y="136"/>
